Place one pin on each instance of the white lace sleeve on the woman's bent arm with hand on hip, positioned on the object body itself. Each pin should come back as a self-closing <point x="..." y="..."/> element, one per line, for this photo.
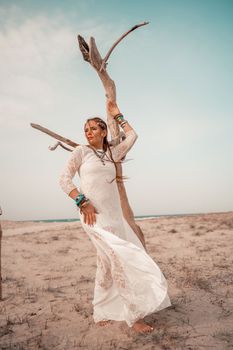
<point x="72" y="166"/>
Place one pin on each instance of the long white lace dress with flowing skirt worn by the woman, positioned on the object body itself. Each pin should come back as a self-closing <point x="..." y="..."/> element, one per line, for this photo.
<point x="129" y="284"/>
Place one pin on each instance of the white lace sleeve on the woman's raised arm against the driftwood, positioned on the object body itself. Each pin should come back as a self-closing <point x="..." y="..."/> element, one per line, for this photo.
<point x="120" y="151"/>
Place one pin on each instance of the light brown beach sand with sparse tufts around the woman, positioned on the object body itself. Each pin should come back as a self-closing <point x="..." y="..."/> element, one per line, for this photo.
<point x="48" y="272"/>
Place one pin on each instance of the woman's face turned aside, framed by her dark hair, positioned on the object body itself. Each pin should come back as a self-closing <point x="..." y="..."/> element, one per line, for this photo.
<point x="94" y="134"/>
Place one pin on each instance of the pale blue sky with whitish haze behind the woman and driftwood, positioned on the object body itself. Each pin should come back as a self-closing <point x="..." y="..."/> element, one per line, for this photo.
<point x="174" y="80"/>
